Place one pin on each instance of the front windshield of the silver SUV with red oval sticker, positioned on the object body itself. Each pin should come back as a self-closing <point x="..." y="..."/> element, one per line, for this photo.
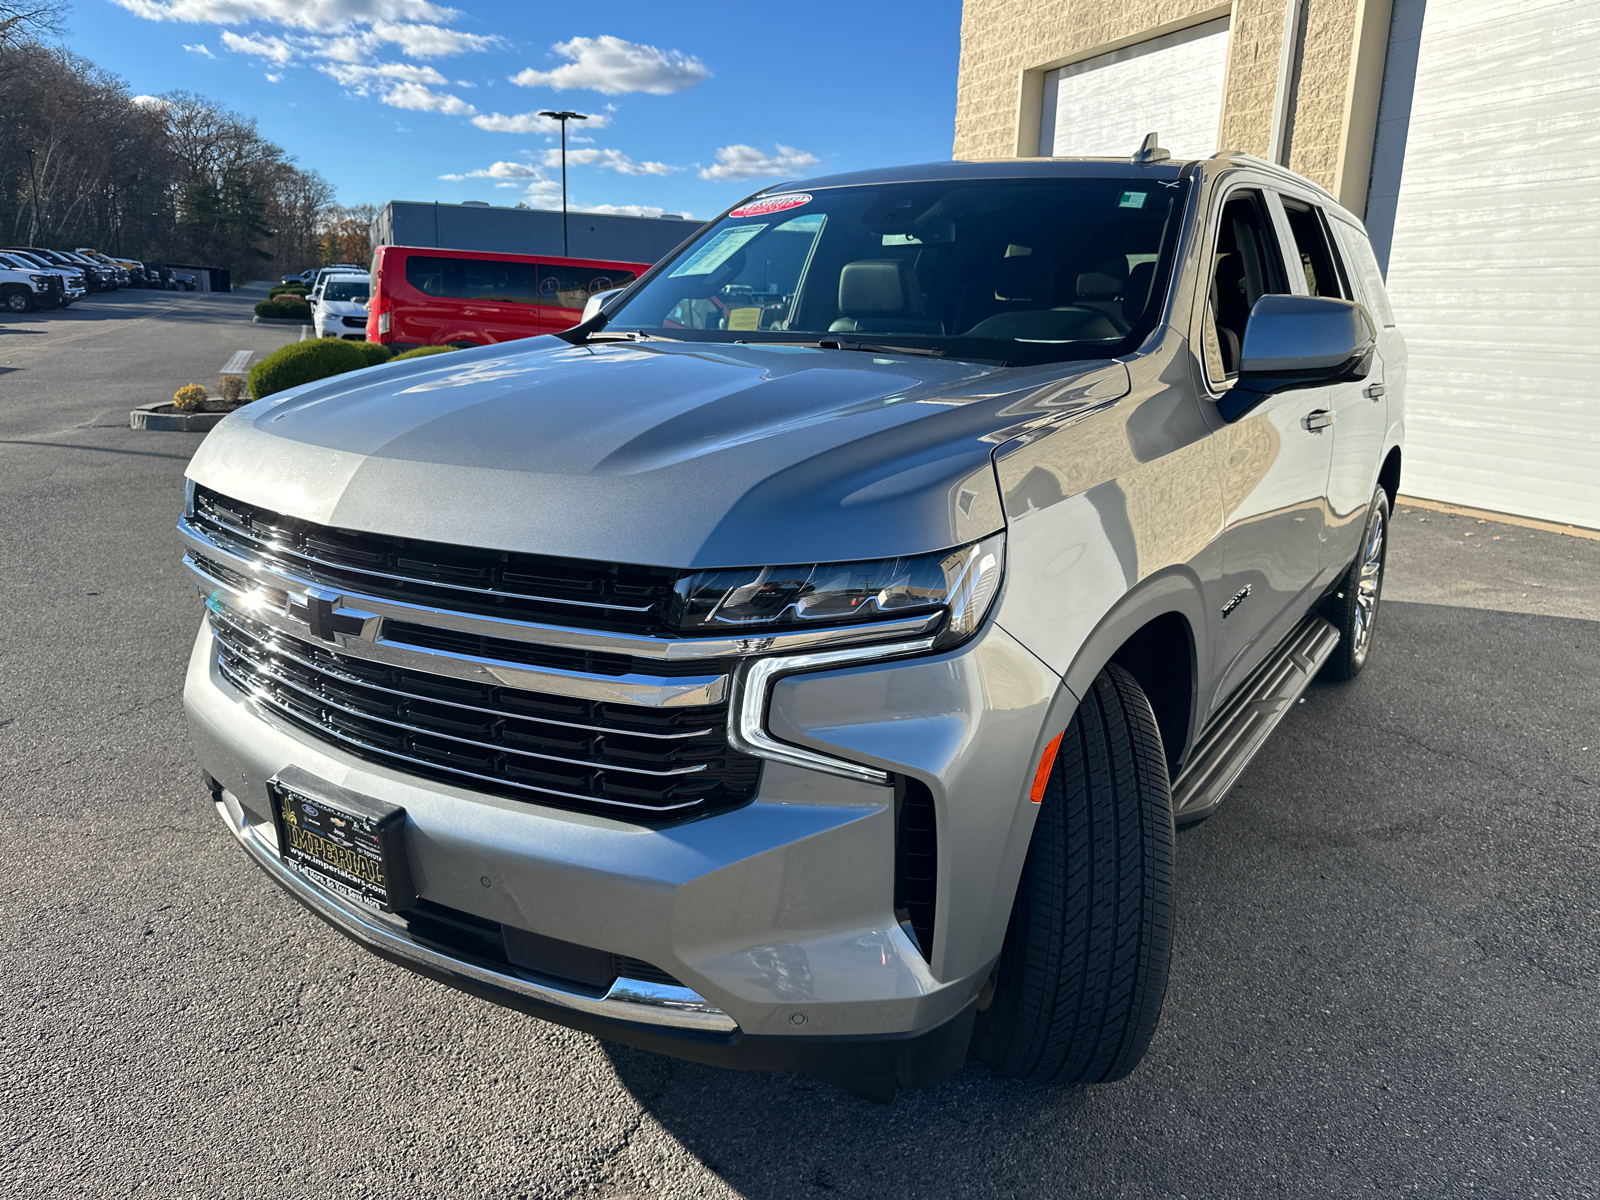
<point x="1020" y="271"/>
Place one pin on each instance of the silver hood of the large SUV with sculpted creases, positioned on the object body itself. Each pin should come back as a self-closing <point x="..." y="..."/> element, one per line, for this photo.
<point x="665" y="454"/>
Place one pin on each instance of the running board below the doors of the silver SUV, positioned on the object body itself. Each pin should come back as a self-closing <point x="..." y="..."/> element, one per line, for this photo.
<point x="1231" y="738"/>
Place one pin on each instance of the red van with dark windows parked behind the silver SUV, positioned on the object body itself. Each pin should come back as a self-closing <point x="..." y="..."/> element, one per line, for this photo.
<point x="425" y="297"/>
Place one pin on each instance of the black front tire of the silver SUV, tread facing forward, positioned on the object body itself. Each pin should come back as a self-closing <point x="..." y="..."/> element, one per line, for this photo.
<point x="1082" y="978"/>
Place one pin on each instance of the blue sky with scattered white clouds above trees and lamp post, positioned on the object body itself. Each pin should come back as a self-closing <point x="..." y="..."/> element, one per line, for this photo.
<point x="697" y="105"/>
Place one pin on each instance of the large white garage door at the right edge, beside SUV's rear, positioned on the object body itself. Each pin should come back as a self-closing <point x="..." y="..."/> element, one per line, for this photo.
<point x="1495" y="271"/>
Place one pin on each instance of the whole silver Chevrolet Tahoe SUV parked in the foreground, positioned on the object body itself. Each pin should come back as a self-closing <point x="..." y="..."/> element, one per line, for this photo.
<point x="804" y="663"/>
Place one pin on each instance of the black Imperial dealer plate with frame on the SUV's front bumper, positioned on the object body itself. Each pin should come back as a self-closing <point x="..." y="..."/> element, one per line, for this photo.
<point x="348" y="844"/>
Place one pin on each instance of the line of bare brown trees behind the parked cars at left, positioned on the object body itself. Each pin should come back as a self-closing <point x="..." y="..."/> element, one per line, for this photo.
<point x="159" y="178"/>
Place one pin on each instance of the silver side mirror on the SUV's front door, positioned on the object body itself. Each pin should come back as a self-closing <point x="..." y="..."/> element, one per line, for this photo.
<point x="1300" y="342"/>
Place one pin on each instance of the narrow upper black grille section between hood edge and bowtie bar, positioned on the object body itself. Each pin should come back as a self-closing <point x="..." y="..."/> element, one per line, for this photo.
<point x="466" y="580"/>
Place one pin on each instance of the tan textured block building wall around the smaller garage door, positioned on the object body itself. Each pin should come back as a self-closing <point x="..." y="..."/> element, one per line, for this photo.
<point x="1009" y="46"/>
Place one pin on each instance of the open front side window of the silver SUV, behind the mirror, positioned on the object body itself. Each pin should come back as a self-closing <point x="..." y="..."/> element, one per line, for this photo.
<point x="1246" y="266"/>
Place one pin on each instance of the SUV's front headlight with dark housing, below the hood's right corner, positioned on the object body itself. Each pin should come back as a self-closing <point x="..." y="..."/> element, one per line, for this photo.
<point x="758" y="601"/>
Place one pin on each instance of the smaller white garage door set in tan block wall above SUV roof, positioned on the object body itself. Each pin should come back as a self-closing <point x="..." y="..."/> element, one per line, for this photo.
<point x="1170" y="86"/>
